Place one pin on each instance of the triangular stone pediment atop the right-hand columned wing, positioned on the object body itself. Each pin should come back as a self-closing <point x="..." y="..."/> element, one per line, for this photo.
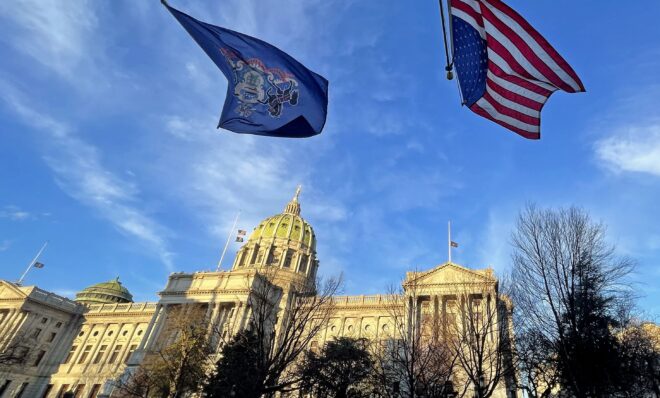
<point x="450" y="273"/>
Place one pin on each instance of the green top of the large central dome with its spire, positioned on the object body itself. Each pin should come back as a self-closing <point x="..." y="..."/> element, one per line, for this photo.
<point x="287" y="225"/>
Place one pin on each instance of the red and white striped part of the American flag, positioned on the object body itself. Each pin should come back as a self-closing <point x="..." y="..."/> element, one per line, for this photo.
<point x="523" y="68"/>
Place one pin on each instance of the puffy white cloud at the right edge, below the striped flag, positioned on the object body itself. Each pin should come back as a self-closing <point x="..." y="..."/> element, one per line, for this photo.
<point x="632" y="149"/>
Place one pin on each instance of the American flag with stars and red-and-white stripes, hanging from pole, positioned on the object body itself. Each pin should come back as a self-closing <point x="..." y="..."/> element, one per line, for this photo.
<point x="506" y="69"/>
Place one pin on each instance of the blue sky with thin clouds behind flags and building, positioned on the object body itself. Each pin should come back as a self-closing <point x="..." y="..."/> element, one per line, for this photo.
<point x="108" y="146"/>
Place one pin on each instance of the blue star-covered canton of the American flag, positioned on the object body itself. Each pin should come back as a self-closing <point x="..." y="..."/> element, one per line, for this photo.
<point x="470" y="60"/>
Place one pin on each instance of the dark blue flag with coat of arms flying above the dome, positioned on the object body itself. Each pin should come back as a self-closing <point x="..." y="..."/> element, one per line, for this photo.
<point x="268" y="92"/>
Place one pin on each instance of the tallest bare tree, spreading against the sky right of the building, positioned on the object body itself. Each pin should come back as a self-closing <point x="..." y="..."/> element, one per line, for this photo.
<point x="567" y="282"/>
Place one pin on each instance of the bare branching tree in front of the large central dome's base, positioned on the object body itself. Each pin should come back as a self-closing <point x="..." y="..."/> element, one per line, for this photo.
<point x="286" y="313"/>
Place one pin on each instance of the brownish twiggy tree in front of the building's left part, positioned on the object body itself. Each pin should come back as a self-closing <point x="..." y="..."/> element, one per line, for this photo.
<point x="180" y="362"/>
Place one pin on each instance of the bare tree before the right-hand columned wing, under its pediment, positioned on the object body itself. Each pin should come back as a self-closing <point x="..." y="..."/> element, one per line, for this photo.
<point x="480" y="335"/>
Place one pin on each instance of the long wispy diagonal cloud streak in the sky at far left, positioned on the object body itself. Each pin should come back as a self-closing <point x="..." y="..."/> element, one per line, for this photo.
<point x="80" y="173"/>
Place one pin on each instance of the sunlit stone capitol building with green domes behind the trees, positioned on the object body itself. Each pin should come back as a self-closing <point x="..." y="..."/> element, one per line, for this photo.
<point x="84" y="344"/>
